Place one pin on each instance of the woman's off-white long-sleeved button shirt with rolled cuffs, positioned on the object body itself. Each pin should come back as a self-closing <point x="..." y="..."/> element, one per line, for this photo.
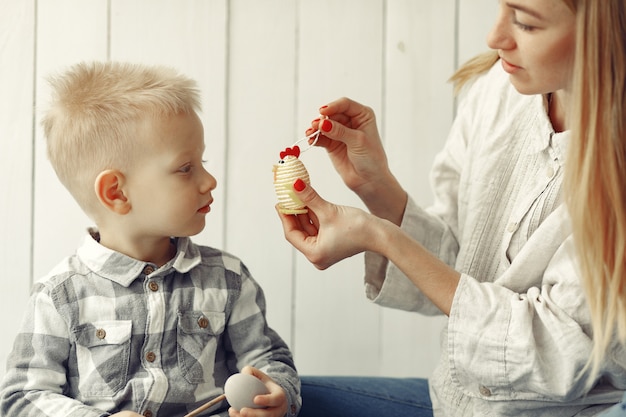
<point x="519" y="332"/>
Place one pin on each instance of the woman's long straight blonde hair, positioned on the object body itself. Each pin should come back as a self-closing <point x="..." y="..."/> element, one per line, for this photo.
<point x="595" y="176"/>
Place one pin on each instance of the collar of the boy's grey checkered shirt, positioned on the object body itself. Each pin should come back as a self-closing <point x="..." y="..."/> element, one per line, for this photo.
<point x="123" y="269"/>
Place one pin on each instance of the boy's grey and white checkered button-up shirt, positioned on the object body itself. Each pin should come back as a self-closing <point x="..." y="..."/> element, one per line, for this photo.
<point x="104" y="332"/>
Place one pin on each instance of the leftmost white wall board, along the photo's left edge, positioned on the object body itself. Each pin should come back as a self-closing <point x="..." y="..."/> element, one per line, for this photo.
<point x="17" y="23"/>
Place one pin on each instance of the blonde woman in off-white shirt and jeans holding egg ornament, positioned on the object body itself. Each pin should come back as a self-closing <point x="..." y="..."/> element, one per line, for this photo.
<point x="524" y="246"/>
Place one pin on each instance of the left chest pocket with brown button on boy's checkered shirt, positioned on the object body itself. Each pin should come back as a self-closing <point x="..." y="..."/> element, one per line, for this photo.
<point x="102" y="355"/>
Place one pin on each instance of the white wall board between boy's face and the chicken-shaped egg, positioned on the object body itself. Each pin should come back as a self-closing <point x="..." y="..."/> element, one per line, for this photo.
<point x="260" y="124"/>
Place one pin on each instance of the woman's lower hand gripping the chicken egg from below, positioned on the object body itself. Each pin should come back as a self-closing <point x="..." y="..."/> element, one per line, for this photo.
<point x="328" y="233"/>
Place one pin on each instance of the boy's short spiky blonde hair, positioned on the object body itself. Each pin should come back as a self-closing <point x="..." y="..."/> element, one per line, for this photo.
<point x="93" y="120"/>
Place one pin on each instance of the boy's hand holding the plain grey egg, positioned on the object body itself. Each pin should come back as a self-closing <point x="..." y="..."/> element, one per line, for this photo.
<point x="275" y="402"/>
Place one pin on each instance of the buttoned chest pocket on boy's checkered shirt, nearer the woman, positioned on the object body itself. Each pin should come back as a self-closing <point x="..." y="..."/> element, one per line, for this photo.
<point x="198" y="337"/>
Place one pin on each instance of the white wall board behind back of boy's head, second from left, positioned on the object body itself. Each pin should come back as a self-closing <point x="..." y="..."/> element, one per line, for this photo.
<point x="68" y="31"/>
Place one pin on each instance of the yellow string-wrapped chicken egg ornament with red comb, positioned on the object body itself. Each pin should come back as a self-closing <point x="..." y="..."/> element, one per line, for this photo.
<point x="288" y="169"/>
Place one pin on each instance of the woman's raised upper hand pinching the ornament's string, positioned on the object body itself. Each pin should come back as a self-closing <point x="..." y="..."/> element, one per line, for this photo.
<point x="350" y="135"/>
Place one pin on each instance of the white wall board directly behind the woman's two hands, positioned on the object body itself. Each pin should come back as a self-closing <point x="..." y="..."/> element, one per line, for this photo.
<point x="340" y="53"/>
